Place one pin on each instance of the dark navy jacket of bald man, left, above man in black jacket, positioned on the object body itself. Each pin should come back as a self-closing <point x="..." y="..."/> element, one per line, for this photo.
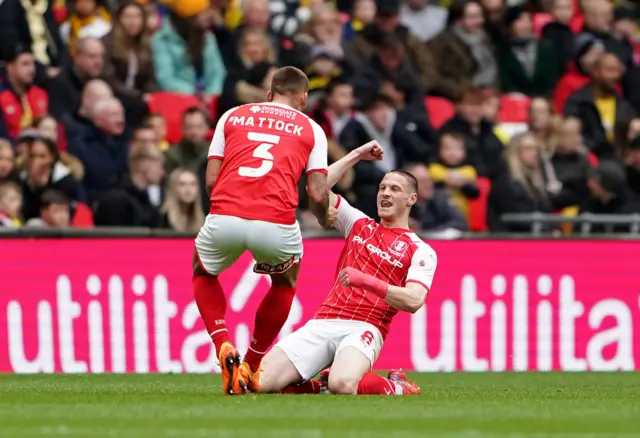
<point x="104" y="159"/>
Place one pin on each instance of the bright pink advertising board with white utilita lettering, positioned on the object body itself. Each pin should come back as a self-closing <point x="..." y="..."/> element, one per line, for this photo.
<point x="126" y="305"/>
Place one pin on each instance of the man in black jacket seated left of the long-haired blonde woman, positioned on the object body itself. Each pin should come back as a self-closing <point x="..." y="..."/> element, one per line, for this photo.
<point x="134" y="202"/>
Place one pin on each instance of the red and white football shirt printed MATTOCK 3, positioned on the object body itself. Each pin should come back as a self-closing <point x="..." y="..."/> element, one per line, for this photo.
<point x="264" y="149"/>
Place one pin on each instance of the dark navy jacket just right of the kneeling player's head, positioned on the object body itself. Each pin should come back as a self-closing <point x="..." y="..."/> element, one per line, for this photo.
<point x="438" y="214"/>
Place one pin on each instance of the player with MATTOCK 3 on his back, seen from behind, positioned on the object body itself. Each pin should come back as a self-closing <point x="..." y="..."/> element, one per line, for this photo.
<point x="257" y="155"/>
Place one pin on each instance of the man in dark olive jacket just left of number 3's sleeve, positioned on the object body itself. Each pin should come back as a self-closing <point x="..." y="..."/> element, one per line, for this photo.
<point x="192" y="151"/>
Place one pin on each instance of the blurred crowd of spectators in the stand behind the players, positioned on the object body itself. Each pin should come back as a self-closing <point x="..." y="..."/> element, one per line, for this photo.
<point x="90" y="134"/>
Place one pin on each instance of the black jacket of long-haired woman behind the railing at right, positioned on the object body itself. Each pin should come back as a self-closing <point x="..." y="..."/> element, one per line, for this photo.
<point x="510" y="196"/>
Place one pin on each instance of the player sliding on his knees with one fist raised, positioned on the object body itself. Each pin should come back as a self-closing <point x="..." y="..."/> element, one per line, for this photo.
<point x="384" y="268"/>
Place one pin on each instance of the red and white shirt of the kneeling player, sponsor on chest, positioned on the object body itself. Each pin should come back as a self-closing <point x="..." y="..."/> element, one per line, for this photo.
<point x="396" y="256"/>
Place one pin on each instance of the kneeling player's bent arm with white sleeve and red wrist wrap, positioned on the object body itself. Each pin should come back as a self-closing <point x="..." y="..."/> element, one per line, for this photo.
<point x="409" y="298"/>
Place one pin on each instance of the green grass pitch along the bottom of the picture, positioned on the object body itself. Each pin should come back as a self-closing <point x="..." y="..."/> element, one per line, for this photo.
<point x="522" y="405"/>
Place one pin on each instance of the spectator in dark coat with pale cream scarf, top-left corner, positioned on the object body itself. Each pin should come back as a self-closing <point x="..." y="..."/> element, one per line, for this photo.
<point x="31" y="24"/>
